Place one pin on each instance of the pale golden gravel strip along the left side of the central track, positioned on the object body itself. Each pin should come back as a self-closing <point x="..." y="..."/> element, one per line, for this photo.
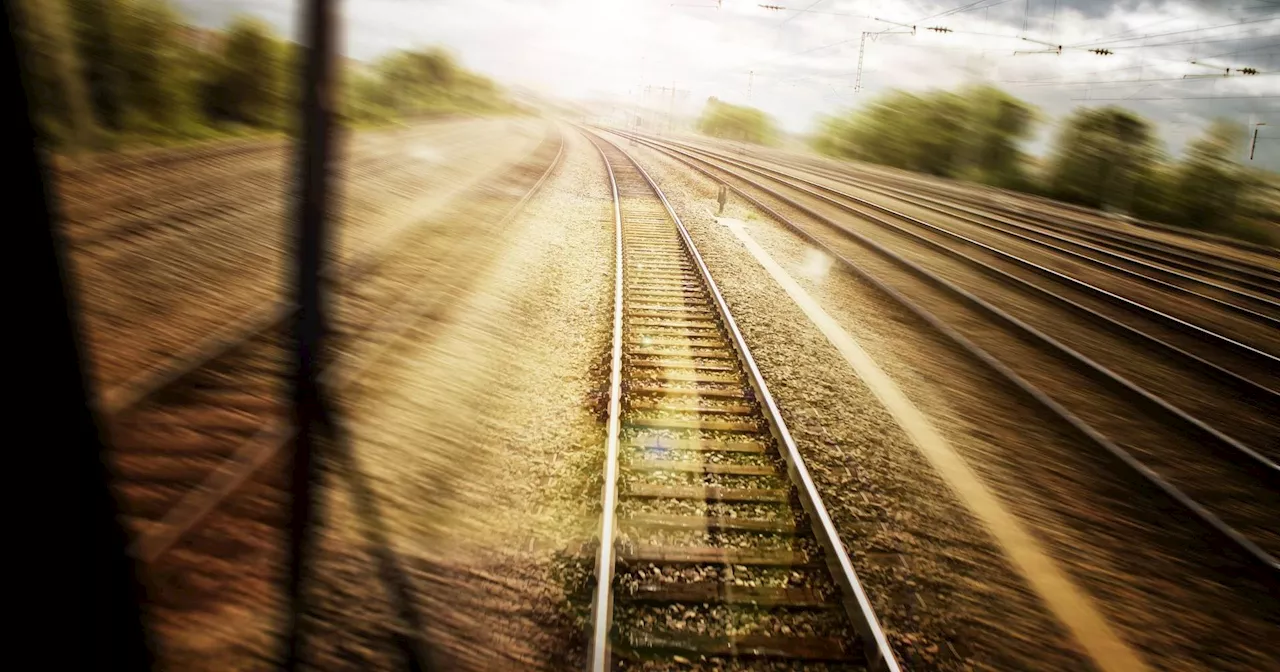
<point x="483" y="441"/>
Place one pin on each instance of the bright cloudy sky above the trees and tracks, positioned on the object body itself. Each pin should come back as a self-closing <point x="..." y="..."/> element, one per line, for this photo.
<point x="801" y="65"/>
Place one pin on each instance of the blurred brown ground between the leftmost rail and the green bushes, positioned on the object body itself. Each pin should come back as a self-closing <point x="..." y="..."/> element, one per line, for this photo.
<point x="212" y="253"/>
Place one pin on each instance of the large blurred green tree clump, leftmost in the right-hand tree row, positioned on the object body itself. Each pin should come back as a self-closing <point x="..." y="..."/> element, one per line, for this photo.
<point x="975" y="135"/>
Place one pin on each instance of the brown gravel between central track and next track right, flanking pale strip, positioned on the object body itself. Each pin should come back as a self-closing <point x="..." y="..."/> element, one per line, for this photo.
<point x="1091" y="522"/>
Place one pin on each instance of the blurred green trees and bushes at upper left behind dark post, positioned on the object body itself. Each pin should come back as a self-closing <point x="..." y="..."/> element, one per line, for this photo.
<point x="109" y="74"/>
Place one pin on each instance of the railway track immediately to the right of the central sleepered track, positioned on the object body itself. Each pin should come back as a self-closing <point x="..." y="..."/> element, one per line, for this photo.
<point x="1226" y="486"/>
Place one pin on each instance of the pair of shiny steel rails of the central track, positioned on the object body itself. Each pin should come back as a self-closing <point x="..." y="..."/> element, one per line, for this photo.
<point x="856" y="602"/>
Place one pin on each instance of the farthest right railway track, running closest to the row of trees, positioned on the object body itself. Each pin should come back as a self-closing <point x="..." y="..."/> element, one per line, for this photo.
<point x="1082" y="223"/>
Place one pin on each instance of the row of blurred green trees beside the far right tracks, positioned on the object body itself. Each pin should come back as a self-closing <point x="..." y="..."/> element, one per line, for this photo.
<point x="1107" y="158"/>
